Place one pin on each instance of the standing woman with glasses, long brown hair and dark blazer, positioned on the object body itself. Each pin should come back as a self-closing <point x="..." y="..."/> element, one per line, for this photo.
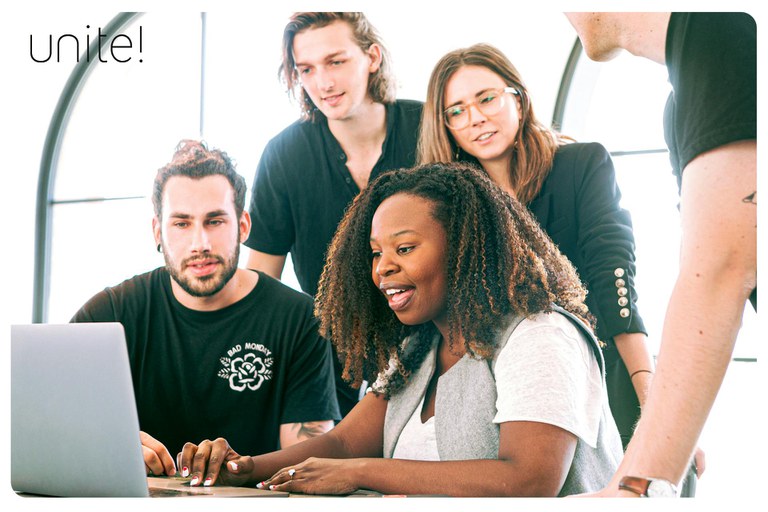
<point x="478" y="110"/>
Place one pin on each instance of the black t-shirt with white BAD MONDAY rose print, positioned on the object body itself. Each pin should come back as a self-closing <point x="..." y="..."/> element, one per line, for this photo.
<point x="238" y="373"/>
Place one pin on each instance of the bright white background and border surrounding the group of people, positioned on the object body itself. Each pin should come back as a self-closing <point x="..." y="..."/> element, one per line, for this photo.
<point x="104" y="156"/>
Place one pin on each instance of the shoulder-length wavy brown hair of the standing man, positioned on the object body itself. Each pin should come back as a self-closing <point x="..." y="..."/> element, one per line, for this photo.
<point x="381" y="84"/>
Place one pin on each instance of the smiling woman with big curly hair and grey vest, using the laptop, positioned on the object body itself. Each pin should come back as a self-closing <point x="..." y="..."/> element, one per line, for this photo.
<point x="490" y="380"/>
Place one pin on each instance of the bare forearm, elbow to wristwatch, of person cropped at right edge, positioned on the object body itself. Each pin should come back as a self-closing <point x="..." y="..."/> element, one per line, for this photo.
<point x="699" y="333"/>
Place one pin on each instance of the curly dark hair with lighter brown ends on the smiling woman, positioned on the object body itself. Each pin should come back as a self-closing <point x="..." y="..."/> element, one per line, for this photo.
<point x="499" y="263"/>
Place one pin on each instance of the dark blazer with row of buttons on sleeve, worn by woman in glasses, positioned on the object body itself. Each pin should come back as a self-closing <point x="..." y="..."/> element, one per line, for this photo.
<point x="578" y="207"/>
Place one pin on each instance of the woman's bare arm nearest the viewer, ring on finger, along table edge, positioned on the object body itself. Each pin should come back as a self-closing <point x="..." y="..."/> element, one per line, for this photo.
<point x="534" y="459"/>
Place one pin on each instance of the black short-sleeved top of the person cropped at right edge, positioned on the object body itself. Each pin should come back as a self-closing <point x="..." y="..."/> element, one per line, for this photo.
<point x="712" y="64"/>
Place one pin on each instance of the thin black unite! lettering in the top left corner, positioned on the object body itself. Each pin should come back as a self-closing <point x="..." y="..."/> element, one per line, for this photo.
<point x="119" y="47"/>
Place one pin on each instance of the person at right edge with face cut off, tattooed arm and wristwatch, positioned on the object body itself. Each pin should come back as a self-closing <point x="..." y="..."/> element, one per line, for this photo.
<point x="710" y="125"/>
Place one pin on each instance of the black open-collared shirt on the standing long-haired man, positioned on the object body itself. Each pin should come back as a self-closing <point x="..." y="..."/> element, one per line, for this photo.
<point x="303" y="187"/>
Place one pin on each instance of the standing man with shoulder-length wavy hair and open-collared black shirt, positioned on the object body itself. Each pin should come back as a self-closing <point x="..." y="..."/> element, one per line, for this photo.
<point x="351" y="129"/>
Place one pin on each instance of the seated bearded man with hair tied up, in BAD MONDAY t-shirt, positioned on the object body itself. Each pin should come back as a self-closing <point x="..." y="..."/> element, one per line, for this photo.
<point x="214" y="349"/>
